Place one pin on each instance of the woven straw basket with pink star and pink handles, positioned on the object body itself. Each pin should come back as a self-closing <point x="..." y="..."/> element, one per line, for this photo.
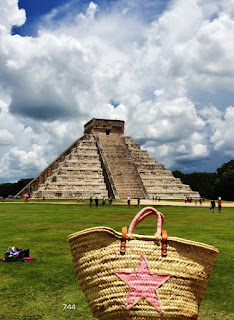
<point x="130" y="276"/>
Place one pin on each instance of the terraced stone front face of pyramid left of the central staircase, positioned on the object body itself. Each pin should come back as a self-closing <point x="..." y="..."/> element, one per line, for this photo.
<point x="80" y="174"/>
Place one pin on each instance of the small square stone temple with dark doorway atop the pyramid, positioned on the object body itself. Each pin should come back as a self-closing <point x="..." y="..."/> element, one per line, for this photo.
<point x="104" y="126"/>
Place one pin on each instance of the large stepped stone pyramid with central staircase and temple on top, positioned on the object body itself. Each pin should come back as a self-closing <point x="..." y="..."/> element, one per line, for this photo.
<point x="105" y="162"/>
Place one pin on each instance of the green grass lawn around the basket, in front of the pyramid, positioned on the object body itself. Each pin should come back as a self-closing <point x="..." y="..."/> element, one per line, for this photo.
<point x="39" y="289"/>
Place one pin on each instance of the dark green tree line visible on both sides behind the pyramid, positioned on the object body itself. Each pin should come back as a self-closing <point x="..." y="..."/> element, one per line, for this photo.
<point x="209" y="185"/>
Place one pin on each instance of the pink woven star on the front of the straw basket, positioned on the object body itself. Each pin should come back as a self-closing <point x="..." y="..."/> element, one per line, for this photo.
<point x="142" y="283"/>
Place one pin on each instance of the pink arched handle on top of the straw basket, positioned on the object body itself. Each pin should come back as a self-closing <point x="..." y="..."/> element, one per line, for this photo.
<point x="144" y="213"/>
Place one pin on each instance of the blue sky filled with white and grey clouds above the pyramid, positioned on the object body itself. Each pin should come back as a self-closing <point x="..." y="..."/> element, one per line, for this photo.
<point x="165" y="67"/>
